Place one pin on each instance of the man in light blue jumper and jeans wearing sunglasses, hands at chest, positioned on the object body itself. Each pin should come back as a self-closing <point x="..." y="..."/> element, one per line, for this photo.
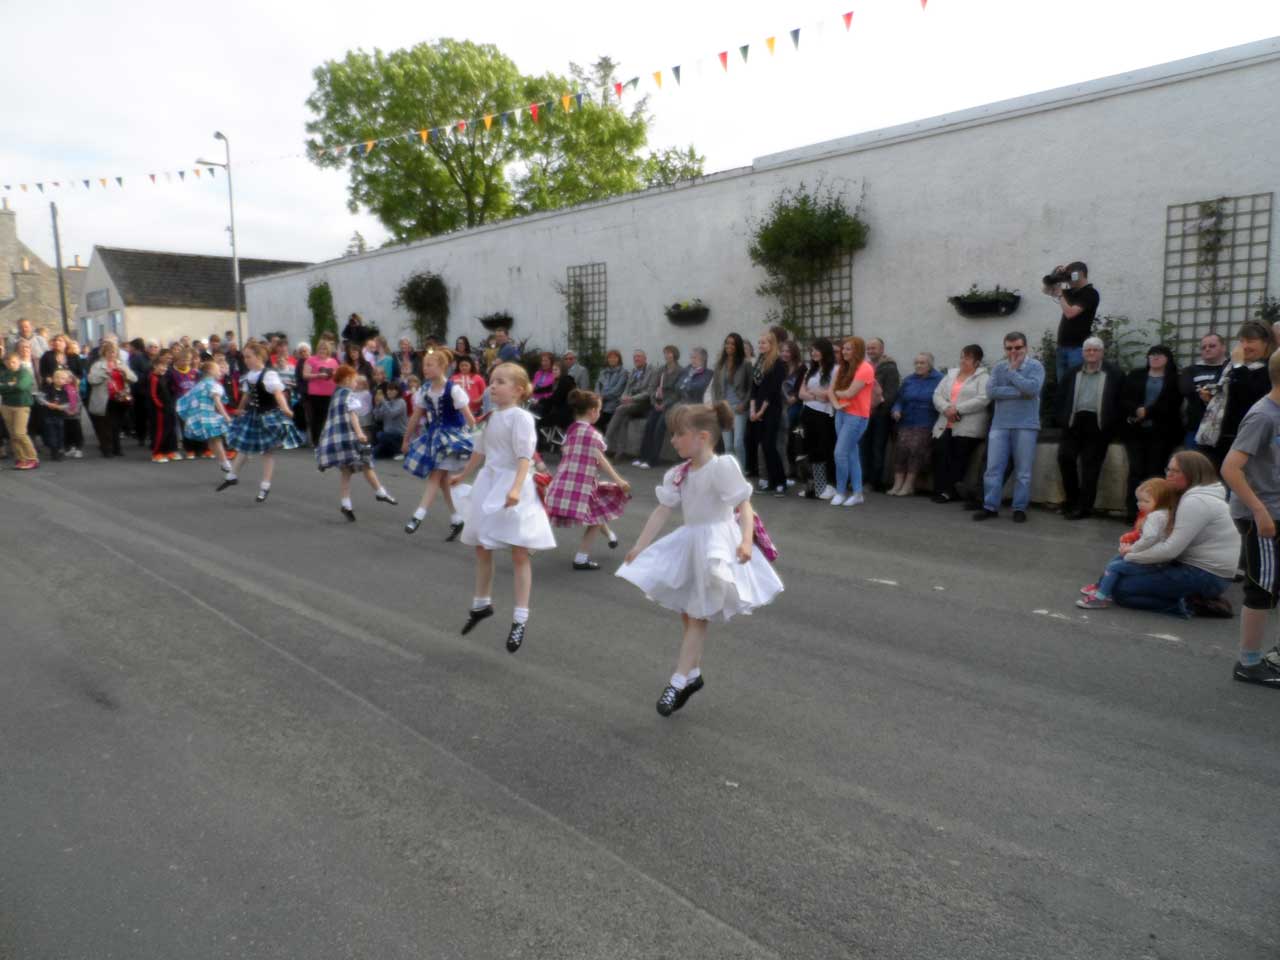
<point x="1014" y="388"/>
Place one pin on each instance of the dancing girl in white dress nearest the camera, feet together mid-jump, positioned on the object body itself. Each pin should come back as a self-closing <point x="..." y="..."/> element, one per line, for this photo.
<point x="707" y="569"/>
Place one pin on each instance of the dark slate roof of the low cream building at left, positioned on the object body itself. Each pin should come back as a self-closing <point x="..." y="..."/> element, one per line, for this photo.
<point x="150" y="278"/>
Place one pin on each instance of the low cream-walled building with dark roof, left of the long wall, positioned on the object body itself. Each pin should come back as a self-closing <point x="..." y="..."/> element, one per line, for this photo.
<point x="163" y="296"/>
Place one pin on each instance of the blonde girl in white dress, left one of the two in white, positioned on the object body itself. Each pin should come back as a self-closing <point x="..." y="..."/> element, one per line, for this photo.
<point x="502" y="510"/>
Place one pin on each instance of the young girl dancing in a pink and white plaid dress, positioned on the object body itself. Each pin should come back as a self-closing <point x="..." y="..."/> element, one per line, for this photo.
<point x="577" y="497"/>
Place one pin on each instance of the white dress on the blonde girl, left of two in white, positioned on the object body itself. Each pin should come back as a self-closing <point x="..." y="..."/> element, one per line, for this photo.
<point x="509" y="437"/>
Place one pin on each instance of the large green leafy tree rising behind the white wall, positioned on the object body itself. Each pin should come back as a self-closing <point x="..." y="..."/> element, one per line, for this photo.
<point x="473" y="176"/>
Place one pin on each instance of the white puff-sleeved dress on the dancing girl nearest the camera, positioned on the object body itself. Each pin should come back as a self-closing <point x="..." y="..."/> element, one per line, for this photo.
<point x="696" y="569"/>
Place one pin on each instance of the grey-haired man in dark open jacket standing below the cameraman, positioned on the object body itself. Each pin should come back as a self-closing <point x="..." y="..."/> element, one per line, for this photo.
<point x="1089" y="410"/>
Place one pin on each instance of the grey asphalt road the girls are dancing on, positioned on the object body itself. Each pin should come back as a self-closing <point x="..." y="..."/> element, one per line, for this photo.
<point x="232" y="730"/>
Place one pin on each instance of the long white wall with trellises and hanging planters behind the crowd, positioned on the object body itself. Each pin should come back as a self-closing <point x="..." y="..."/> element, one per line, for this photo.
<point x="999" y="194"/>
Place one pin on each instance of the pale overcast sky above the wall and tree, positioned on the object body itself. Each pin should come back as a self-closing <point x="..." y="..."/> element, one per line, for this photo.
<point x="131" y="89"/>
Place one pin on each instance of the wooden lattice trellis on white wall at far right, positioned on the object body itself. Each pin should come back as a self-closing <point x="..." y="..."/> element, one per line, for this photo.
<point x="1217" y="255"/>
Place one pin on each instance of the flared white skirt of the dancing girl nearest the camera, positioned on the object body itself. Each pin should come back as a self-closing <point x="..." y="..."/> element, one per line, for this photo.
<point x="694" y="570"/>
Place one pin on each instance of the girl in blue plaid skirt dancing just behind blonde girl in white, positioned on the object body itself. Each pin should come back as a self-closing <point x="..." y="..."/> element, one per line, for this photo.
<point x="445" y="444"/>
